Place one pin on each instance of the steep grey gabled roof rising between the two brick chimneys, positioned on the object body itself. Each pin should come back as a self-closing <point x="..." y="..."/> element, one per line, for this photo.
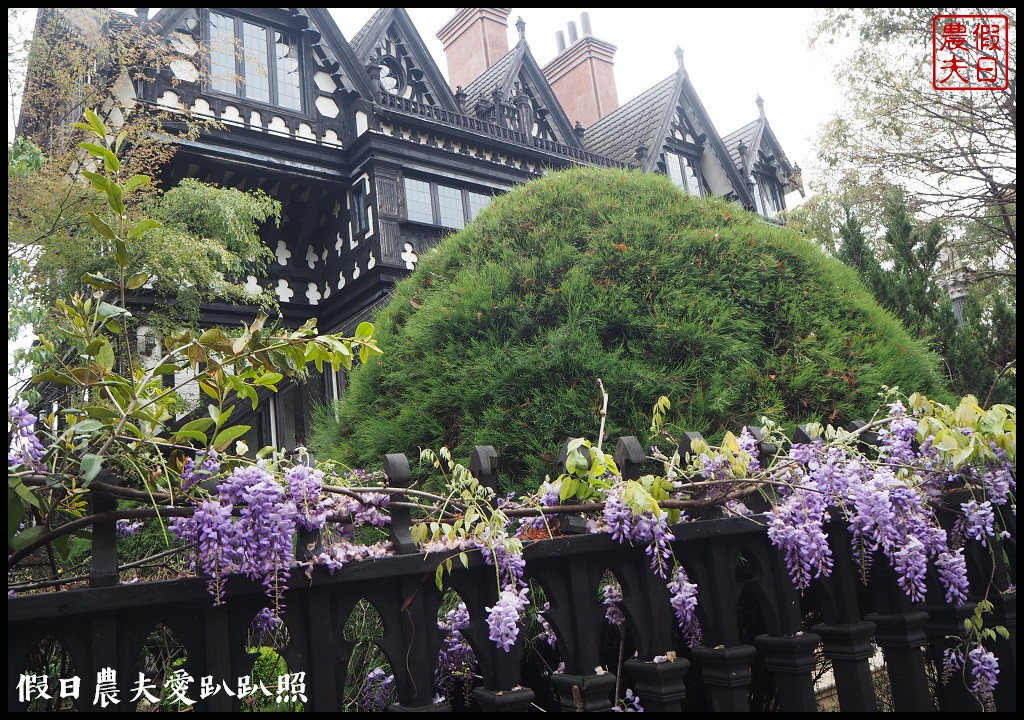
<point x="517" y="66"/>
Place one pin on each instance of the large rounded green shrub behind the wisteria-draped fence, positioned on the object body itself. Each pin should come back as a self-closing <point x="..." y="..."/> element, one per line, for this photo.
<point x="501" y="334"/>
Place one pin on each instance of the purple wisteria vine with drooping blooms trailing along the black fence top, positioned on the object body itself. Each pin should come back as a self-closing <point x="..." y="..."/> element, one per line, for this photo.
<point x="886" y="490"/>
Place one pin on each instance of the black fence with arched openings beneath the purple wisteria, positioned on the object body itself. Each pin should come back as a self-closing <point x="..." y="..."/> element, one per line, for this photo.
<point x="764" y="646"/>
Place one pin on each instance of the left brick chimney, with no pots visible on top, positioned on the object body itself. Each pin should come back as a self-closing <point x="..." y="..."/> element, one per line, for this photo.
<point x="475" y="40"/>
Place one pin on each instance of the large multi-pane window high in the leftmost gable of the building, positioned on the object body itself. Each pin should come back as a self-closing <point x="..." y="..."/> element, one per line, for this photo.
<point x="255" y="62"/>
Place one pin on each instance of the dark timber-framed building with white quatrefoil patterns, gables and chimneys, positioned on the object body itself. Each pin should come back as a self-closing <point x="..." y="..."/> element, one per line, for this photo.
<point x="375" y="155"/>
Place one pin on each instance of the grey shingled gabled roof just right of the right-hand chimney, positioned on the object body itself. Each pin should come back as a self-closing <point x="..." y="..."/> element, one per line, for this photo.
<point x="648" y="120"/>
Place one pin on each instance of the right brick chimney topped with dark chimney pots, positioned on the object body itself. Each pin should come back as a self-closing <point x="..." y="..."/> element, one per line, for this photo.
<point x="582" y="75"/>
